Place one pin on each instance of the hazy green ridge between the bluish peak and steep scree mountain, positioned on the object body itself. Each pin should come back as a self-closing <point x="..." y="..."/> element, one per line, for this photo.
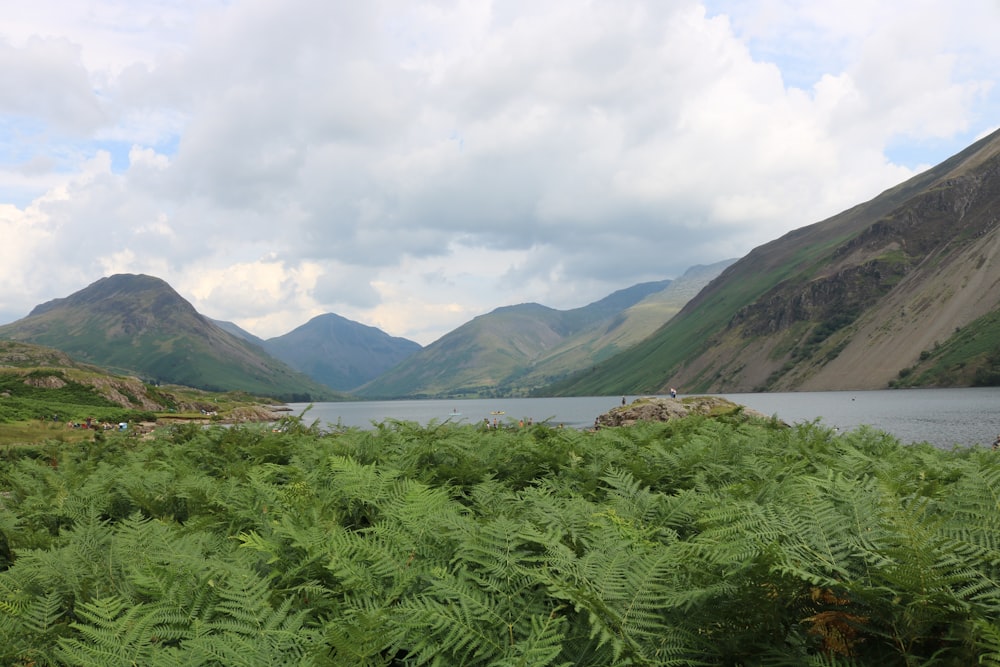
<point x="513" y="350"/>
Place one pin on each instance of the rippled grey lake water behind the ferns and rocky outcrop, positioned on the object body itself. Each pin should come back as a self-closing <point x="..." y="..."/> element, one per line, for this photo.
<point x="943" y="417"/>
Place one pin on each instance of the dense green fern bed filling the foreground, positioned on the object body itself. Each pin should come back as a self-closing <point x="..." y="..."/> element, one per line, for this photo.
<point x="696" y="542"/>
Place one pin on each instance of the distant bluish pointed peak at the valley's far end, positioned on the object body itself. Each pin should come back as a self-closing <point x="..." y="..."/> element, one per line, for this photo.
<point x="338" y="352"/>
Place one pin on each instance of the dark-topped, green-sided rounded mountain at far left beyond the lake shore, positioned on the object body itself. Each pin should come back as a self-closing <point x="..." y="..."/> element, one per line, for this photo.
<point x="138" y="324"/>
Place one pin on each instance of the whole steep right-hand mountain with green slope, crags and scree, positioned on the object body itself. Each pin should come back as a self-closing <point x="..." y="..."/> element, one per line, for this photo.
<point x="902" y="290"/>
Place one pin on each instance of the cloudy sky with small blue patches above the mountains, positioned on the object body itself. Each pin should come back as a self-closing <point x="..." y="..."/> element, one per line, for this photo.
<point x="411" y="164"/>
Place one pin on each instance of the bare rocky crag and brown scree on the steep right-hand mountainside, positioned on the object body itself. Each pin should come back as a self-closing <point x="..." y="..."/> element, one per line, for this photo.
<point x="871" y="304"/>
